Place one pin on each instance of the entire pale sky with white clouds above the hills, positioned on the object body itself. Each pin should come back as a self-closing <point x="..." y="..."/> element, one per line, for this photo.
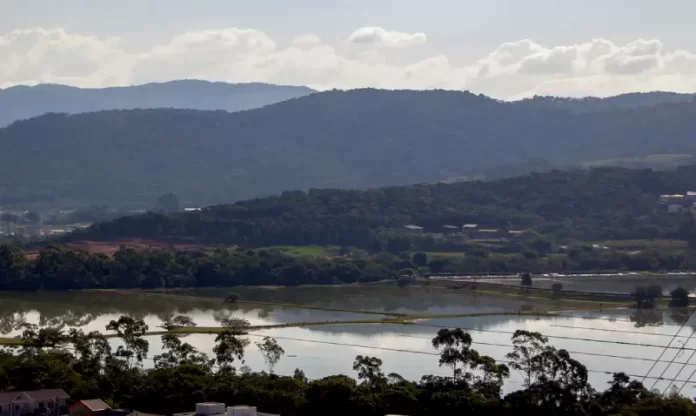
<point x="507" y="49"/>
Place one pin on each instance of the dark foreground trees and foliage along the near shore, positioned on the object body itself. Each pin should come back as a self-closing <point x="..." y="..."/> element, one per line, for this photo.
<point x="553" y="382"/>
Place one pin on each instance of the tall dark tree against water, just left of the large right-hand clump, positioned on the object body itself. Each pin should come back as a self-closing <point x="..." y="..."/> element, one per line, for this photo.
<point x="455" y="352"/>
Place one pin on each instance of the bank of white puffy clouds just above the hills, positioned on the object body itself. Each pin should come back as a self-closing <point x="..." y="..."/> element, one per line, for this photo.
<point x="513" y="70"/>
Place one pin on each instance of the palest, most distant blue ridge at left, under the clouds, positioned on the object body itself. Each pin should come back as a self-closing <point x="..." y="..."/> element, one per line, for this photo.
<point x="24" y="102"/>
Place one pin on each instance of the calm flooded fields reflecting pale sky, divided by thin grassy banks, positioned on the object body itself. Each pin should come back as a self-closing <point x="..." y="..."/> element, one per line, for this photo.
<point x="605" y="341"/>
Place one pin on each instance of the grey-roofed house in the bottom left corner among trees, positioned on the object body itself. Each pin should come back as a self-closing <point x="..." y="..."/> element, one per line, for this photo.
<point x="48" y="402"/>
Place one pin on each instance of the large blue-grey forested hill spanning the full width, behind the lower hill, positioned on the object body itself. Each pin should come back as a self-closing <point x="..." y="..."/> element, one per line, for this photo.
<point x="354" y="139"/>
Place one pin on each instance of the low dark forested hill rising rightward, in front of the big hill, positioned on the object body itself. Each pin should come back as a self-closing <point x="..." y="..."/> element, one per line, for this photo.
<point x="587" y="205"/>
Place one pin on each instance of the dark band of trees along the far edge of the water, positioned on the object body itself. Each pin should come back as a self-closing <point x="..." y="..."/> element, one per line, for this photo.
<point x="57" y="268"/>
